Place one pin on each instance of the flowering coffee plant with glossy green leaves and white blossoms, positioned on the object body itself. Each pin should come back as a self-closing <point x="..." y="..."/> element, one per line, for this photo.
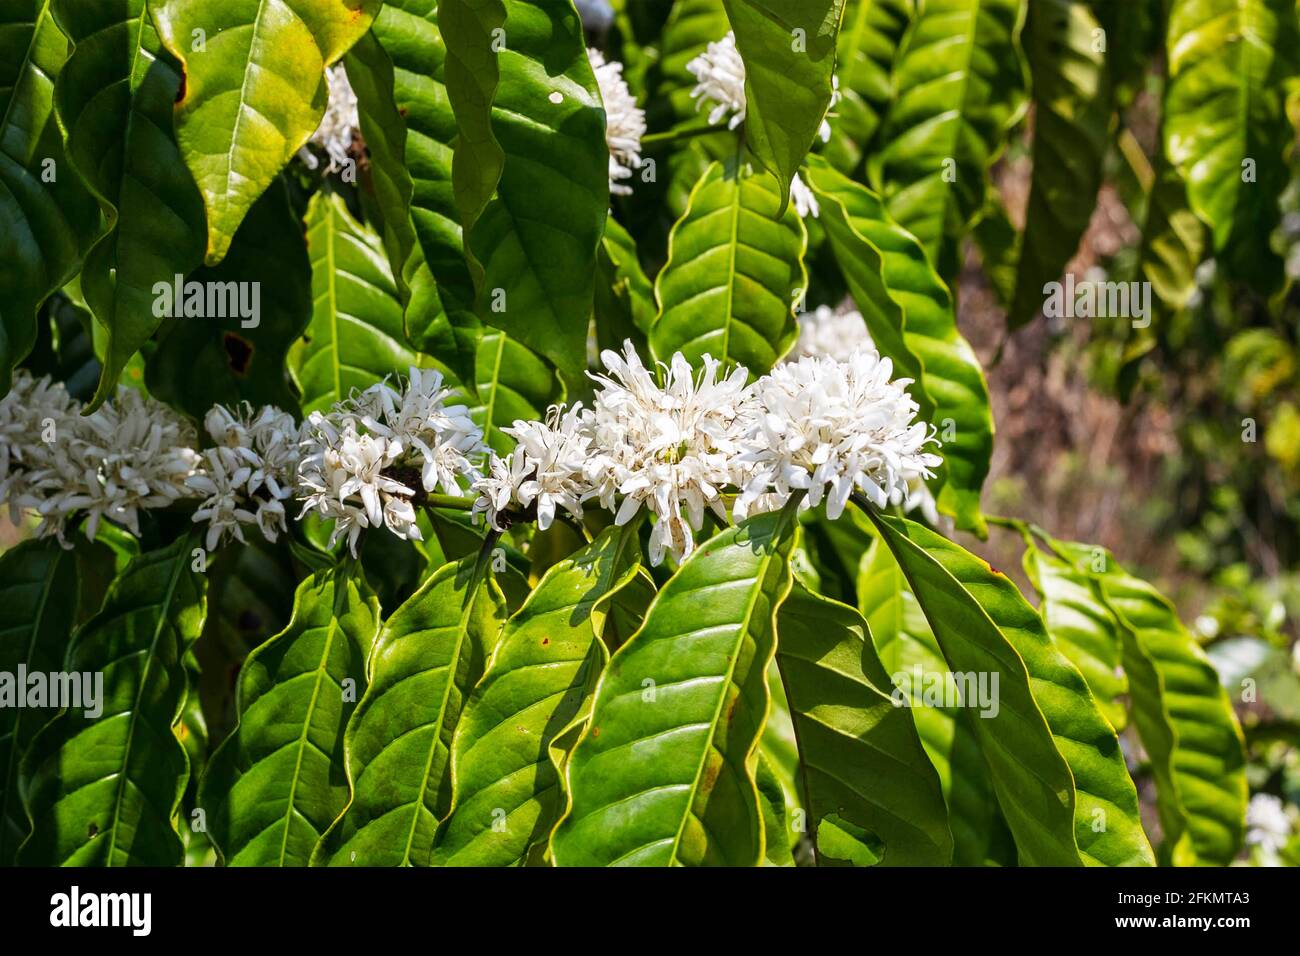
<point x="512" y="432"/>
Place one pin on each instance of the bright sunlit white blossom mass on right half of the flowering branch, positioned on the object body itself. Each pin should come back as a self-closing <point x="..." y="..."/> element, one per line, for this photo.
<point x="683" y="443"/>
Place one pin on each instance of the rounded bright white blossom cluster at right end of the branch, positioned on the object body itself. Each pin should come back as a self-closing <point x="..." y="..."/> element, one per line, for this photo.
<point x="831" y="427"/>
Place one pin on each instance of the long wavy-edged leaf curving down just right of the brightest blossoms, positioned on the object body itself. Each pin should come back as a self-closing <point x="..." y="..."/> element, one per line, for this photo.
<point x="861" y="232"/>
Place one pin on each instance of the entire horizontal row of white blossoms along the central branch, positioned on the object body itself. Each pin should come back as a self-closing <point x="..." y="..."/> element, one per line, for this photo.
<point x="670" y="442"/>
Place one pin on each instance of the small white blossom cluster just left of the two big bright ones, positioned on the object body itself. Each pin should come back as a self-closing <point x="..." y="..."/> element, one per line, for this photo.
<point x="545" y="470"/>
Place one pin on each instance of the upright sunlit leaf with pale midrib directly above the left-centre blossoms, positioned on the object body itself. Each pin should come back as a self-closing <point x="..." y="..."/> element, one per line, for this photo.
<point x="357" y="336"/>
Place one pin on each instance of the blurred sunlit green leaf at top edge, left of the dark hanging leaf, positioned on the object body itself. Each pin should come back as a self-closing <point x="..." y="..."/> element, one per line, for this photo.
<point x="960" y="84"/>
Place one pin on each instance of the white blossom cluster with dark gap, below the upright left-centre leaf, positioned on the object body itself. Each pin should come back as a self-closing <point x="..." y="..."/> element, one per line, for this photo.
<point x="372" y="458"/>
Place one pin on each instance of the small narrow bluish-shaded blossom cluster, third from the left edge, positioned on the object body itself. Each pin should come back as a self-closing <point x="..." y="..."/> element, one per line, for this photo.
<point x="249" y="475"/>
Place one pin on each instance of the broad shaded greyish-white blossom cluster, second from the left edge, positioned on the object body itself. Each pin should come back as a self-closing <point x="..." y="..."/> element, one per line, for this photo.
<point x="132" y="455"/>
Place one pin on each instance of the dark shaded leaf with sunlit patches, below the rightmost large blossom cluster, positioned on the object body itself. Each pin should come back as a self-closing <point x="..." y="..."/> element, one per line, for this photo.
<point x="860" y="756"/>
